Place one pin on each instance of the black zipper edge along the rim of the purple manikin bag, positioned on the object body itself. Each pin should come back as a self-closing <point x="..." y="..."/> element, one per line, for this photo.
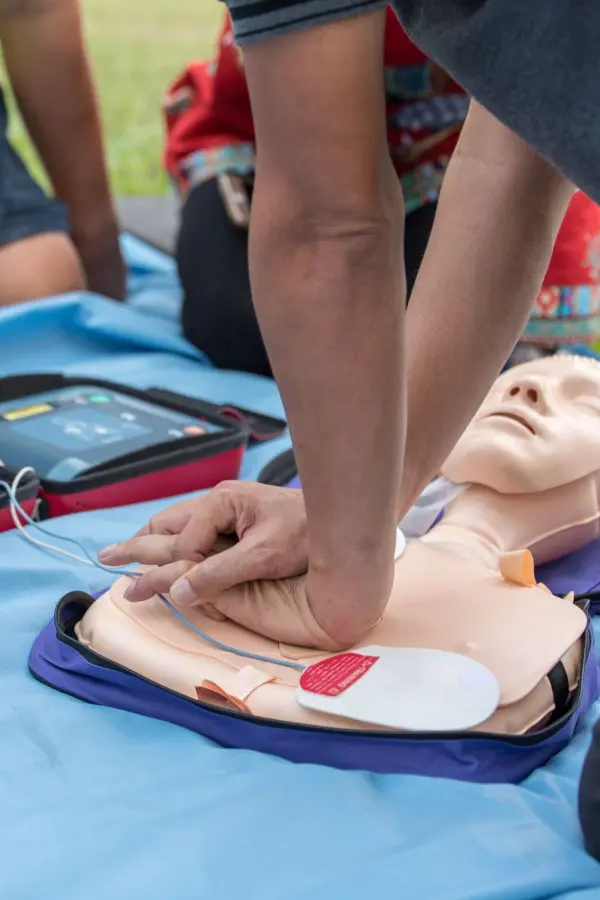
<point x="518" y="740"/>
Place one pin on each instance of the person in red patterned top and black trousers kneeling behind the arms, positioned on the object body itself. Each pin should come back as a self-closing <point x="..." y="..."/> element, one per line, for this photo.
<point x="210" y="158"/>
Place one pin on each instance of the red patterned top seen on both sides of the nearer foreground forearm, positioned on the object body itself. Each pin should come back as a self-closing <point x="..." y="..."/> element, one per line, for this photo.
<point x="210" y="130"/>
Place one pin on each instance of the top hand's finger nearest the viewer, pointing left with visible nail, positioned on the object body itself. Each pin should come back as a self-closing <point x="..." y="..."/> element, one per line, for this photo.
<point x="220" y="572"/>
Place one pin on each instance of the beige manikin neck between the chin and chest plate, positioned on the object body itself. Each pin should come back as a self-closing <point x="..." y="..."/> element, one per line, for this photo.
<point x="482" y="523"/>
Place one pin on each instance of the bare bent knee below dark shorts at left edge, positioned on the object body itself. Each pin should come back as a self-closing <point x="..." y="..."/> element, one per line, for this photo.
<point x="39" y="266"/>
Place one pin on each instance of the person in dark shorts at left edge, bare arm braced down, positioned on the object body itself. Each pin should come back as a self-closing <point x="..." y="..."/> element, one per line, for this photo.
<point x="52" y="245"/>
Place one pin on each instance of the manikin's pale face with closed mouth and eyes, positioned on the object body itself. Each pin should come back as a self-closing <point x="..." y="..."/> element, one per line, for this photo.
<point x="538" y="428"/>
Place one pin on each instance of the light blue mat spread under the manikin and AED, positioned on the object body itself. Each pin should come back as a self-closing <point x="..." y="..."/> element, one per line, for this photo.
<point x="97" y="803"/>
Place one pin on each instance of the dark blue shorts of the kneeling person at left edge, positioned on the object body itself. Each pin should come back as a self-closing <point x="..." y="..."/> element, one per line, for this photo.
<point x="25" y="210"/>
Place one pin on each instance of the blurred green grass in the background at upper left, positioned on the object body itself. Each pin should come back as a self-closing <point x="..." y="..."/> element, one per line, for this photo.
<point x="137" y="50"/>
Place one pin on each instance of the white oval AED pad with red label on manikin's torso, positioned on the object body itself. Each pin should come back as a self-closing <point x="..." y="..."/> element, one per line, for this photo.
<point x="407" y="689"/>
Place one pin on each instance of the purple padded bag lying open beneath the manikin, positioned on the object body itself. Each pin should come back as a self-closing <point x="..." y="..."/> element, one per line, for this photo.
<point x="60" y="661"/>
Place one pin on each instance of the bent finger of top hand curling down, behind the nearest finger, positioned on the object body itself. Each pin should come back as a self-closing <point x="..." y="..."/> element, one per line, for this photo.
<point x="215" y="515"/>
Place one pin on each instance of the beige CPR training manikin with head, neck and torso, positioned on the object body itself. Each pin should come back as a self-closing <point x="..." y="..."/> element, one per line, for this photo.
<point x="531" y="458"/>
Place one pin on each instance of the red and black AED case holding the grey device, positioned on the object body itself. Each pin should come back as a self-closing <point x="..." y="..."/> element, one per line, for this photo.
<point x="166" y="469"/>
